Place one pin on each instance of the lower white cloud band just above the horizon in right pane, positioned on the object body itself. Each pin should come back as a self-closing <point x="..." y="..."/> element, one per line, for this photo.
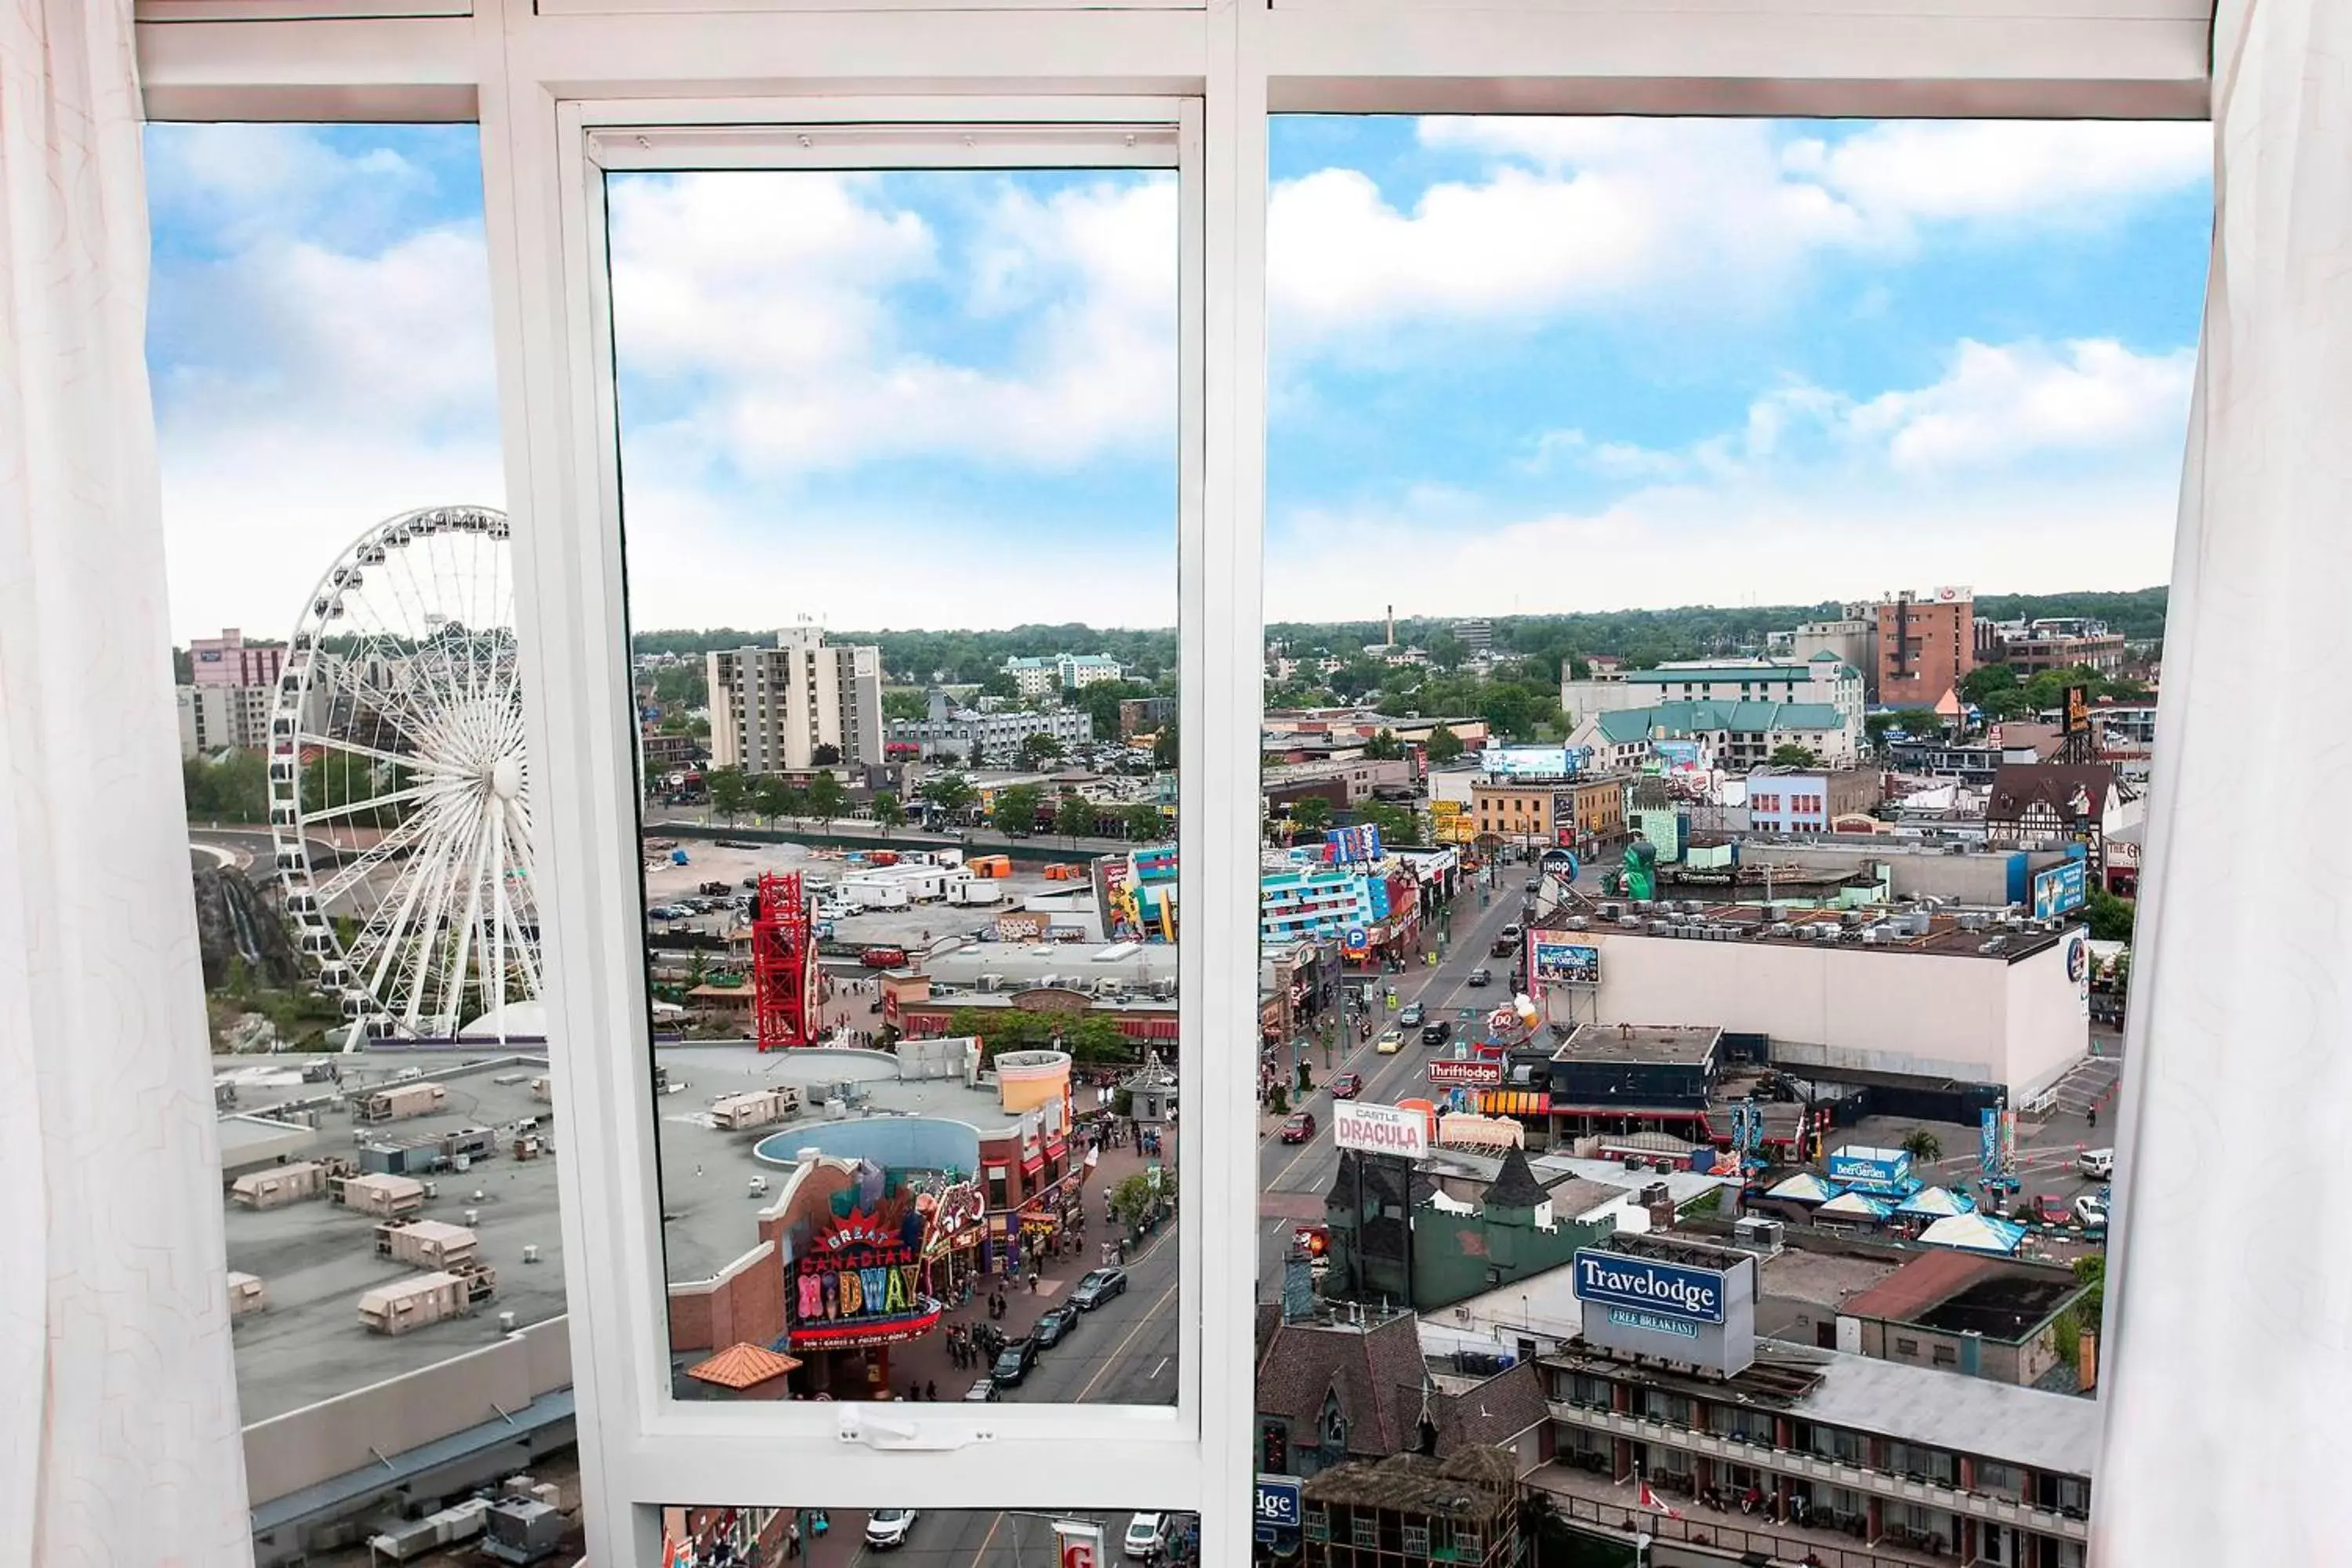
<point x="2022" y="469"/>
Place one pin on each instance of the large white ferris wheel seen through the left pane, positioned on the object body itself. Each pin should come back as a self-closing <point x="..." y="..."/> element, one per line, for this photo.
<point x="401" y="800"/>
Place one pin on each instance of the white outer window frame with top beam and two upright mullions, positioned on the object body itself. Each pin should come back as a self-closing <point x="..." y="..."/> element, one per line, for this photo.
<point x="519" y="69"/>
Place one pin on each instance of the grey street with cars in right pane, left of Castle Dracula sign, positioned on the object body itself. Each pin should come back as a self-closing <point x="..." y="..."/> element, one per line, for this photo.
<point x="1292" y="1179"/>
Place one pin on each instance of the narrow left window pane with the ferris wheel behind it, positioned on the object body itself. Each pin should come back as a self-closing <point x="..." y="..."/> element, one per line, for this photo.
<point x="321" y="363"/>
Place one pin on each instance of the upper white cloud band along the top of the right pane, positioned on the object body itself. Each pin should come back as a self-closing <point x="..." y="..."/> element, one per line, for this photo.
<point x="1678" y="215"/>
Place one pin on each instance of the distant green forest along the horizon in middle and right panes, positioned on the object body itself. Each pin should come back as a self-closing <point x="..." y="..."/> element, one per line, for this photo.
<point x="1636" y="636"/>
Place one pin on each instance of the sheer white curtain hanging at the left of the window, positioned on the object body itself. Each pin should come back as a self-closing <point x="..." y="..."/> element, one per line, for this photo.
<point x="119" y="1416"/>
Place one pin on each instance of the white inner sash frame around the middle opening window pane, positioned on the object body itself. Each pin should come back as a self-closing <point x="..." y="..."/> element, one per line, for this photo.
<point x="570" y="598"/>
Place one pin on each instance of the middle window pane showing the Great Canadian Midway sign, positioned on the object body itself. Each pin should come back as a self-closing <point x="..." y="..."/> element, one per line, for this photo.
<point x="900" y="504"/>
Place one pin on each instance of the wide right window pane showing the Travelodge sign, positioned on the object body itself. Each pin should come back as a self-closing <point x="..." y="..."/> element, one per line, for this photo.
<point x="1718" y="563"/>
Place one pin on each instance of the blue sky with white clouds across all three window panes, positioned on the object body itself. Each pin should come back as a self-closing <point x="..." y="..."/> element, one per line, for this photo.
<point x="1518" y="366"/>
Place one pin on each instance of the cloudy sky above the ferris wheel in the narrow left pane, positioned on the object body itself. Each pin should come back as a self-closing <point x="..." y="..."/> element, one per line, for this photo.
<point x="312" y="377"/>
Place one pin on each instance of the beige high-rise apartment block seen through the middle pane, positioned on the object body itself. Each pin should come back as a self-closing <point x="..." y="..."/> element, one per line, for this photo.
<point x="770" y="709"/>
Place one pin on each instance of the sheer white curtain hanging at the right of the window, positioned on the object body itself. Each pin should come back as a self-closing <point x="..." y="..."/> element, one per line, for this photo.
<point x="2231" y="1318"/>
